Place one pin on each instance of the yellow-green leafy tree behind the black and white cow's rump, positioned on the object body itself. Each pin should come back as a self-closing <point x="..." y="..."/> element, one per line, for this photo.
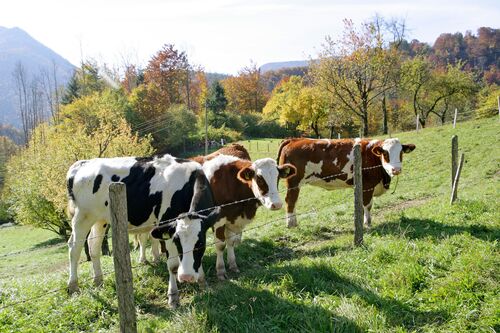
<point x="95" y="127"/>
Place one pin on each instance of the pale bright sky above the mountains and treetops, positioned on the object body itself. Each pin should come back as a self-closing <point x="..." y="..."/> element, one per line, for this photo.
<point x="222" y="35"/>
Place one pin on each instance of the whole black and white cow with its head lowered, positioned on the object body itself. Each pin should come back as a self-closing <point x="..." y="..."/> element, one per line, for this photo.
<point x="158" y="189"/>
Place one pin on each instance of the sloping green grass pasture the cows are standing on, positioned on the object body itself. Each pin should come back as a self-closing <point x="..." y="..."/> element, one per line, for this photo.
<point x="425" y="266"/>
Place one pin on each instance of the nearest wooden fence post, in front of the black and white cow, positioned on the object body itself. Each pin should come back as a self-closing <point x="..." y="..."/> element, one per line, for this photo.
<point x="121" y="257"/>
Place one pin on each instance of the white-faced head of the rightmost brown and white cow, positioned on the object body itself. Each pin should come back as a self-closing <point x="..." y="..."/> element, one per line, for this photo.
<point x="391" y="152"/>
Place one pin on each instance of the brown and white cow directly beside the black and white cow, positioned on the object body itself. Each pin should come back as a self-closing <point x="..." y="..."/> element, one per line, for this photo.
<point x="232" y="179"/>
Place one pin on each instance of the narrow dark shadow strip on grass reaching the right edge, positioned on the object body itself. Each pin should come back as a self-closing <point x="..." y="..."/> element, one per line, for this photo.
<point x="416" y="228"/>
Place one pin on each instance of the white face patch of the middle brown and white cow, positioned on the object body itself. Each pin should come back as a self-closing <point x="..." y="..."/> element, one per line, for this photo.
<point x="268" y="170"/>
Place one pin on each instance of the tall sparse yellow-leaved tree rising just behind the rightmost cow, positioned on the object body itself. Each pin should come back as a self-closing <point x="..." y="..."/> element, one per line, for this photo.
<point x="356" y="70"/>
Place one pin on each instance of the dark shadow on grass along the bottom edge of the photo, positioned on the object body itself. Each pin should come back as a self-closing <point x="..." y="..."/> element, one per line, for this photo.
<point x="232" y="308"/>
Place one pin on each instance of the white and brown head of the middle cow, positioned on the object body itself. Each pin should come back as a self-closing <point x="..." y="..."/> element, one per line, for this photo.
<point x="262" y="177"/>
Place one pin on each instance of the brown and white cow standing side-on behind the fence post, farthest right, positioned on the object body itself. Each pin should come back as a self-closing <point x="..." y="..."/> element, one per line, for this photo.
<point x="329" y="164"/>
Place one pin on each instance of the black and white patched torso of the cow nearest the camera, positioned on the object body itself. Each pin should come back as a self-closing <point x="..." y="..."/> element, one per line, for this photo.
<point x="157" y="188"/>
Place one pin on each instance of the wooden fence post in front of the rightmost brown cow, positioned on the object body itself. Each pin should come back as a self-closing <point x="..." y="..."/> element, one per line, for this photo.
<point x="358" y="196"/>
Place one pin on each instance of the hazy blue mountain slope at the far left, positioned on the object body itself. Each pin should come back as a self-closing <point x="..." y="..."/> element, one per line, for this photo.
<point x="16" y="46"/>
